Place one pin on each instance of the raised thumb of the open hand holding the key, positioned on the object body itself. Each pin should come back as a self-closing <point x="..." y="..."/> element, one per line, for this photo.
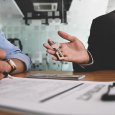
<point x="66" y="36"/>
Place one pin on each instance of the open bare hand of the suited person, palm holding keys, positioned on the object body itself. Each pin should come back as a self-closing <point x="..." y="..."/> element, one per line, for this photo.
<point x="73" y="50"/>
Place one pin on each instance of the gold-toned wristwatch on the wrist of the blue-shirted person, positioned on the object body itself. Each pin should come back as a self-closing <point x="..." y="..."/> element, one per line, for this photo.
<point x="13" y="67"/>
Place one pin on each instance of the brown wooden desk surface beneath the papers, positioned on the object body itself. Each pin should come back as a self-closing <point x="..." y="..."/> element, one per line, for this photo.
<point x="107" y="75"/>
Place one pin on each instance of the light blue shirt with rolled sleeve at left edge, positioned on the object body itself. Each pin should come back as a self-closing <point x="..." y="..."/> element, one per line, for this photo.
<point x="13" y="51"/>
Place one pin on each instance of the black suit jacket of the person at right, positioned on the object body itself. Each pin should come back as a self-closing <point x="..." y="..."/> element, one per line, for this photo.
<point x="101" y="43"/>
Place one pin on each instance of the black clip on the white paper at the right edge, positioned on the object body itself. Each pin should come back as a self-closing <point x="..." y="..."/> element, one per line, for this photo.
<point x="107" y="96"/>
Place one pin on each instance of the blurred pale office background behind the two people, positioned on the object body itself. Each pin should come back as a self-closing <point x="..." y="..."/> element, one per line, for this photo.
<point x="32" y="33"/>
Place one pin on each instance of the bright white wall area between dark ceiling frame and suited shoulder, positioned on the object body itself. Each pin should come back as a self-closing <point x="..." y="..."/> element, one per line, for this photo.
<point x="81" y="15"/>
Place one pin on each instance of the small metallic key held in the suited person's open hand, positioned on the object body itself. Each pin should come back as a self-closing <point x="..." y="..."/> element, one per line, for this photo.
<point x="55" y="46"/>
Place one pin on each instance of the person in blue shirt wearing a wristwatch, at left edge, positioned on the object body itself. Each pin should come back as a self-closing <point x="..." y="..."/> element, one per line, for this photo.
<point x="12" y="60"/>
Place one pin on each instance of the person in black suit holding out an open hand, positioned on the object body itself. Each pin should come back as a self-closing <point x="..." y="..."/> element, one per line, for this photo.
<point x="101" y="46"/>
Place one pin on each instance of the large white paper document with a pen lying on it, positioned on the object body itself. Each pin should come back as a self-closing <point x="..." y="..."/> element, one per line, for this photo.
<point x="55" y="97"/>
